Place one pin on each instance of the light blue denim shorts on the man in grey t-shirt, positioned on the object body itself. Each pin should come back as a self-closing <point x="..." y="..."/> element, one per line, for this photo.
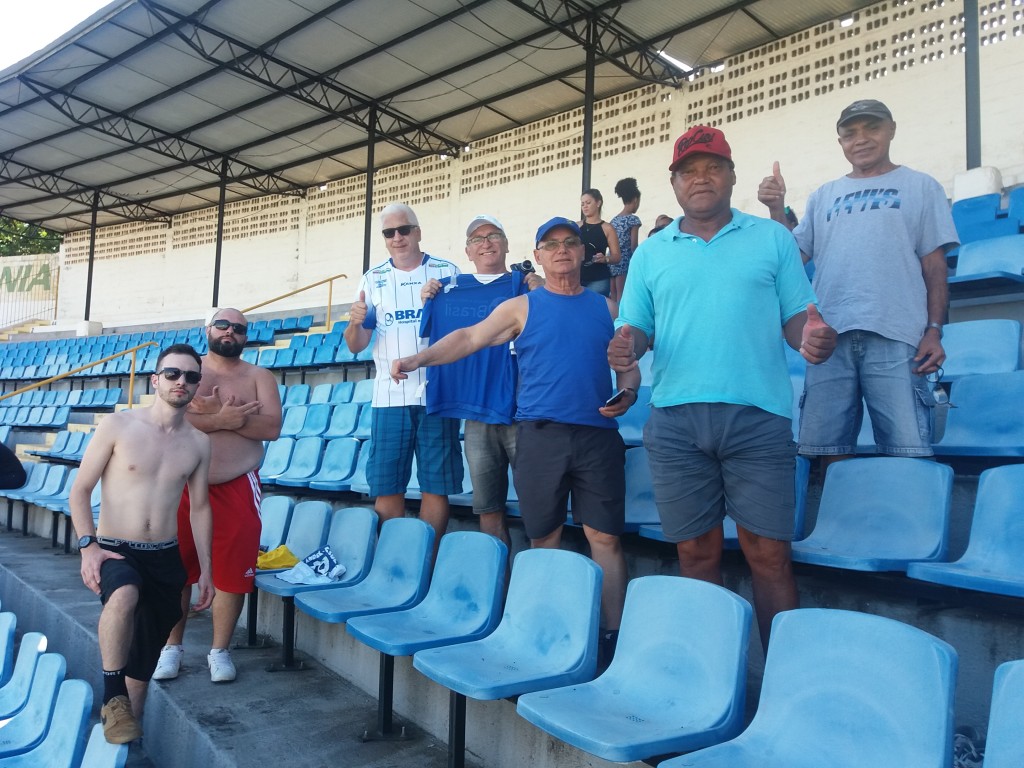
<point x="867" y="369"/>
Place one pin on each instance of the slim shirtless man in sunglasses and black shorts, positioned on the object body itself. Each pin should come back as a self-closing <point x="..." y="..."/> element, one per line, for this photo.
<point x="145" y="458"/>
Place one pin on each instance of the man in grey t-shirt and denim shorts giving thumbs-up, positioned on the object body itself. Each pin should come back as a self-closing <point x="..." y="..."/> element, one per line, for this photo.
<point x="879" y="239"/>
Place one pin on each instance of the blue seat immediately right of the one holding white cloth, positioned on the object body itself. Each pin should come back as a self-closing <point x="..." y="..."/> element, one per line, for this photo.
<point x="398" y="579"/>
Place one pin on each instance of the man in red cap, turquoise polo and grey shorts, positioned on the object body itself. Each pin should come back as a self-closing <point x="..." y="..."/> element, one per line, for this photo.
<point x="718" y="289"/>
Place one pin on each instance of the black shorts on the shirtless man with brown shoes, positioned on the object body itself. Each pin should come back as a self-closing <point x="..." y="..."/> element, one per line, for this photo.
<point x="160" y="578"/>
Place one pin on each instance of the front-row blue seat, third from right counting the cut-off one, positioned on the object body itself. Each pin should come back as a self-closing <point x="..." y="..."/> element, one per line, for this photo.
<point x="677" y="682"/>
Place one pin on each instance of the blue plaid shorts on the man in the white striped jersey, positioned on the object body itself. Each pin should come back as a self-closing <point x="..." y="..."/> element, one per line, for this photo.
<point x="399" y="434"/>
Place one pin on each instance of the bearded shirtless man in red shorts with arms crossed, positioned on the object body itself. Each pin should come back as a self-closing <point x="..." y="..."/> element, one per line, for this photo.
<point x="238" y="406"/>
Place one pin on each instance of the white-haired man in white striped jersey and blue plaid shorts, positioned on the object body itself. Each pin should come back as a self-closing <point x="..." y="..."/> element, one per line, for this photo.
<point x="389" y="303"/>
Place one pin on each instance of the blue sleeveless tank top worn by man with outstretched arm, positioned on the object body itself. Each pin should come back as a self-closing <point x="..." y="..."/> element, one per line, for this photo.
<point x="564" y="362"/>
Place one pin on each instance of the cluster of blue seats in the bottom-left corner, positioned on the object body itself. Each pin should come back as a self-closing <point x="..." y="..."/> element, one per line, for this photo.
<point x="45" y="719"/>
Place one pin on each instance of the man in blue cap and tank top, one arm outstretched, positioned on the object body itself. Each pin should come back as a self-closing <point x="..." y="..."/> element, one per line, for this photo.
<point x="568" y="439"/>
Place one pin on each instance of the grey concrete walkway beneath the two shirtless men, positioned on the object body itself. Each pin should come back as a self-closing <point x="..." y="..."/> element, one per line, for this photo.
<point x="309" y="719"/>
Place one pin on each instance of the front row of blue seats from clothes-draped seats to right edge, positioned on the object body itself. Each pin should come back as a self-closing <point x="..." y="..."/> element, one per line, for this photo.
<point x="677" y="682"/>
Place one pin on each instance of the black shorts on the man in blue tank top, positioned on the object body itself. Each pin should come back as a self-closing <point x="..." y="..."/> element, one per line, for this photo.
<point x="553" y="460"/>
